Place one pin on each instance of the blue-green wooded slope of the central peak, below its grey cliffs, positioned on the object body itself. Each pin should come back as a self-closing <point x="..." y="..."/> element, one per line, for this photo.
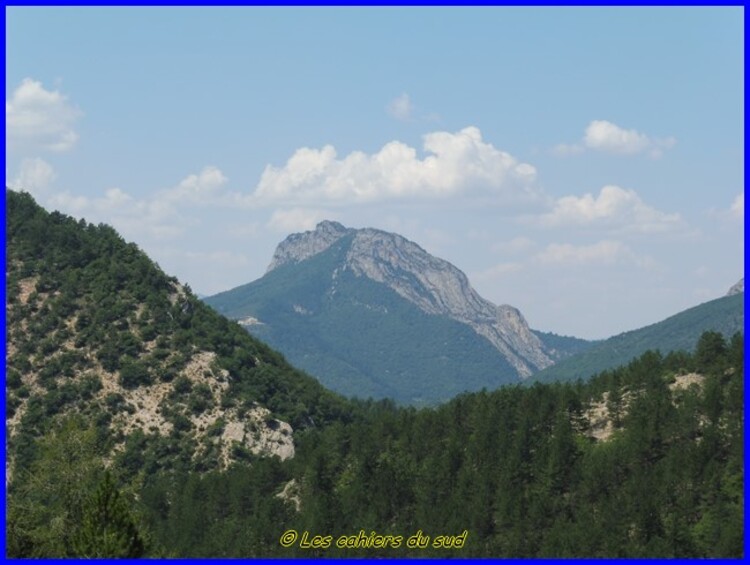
<point x="360" y="337"/>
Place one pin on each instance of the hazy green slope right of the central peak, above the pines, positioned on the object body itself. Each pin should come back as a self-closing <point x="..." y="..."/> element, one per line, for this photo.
<point x="678" y="332"/>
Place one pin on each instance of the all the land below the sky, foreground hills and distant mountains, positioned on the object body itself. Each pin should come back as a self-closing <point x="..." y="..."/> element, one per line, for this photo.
<point x="360" y="385"/>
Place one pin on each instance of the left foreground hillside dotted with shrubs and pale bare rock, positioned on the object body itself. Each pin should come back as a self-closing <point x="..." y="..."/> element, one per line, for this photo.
<point x="101" y="344"/>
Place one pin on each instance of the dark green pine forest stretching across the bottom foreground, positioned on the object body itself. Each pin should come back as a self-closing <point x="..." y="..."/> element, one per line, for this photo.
<point x="513" y="467"/>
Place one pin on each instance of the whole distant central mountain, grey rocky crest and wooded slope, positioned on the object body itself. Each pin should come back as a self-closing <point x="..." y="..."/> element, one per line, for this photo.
<point x="373" y="314"/>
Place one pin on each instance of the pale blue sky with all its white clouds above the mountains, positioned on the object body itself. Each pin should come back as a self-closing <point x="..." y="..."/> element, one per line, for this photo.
<point x="582" y="164"/>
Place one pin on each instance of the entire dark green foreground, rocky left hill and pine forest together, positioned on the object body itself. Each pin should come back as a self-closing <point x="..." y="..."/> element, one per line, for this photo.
<point x="141" y="423"/>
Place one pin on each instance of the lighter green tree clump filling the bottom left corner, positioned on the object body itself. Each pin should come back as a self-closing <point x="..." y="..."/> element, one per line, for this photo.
<point x="65" y="505"/>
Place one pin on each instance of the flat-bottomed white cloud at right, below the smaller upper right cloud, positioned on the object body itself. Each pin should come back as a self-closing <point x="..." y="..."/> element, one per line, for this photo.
<point x="614" y="207"/>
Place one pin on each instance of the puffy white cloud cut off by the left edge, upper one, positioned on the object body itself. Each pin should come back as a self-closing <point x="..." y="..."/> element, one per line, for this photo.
<point x="39" y="118"/>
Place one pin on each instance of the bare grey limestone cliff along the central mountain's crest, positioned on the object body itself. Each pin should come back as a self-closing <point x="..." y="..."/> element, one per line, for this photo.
<point x="434" y="285"/>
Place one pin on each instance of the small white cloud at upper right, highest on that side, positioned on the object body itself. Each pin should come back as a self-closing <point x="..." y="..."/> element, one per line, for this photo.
<point x="605" y="136"/>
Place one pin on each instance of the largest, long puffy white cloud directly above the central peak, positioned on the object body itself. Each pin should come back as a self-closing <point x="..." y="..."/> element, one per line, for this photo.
<point x="453" y="163"/>
